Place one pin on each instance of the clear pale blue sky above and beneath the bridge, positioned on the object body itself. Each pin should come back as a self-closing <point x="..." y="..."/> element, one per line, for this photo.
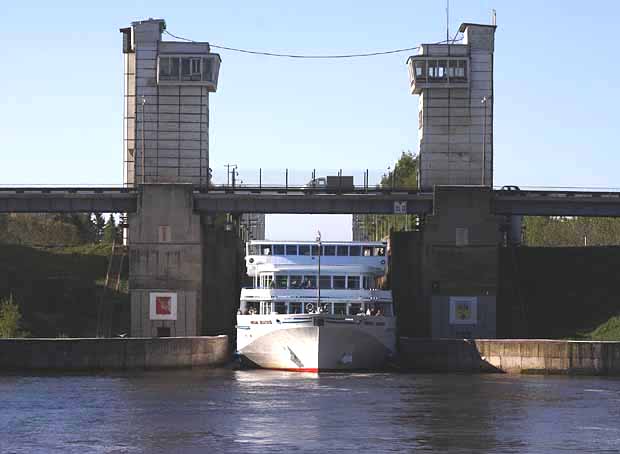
<point x="555" y="92"/>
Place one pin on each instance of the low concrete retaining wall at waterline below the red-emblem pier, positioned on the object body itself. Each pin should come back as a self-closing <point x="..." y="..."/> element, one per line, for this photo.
<point x="113" y="353"/>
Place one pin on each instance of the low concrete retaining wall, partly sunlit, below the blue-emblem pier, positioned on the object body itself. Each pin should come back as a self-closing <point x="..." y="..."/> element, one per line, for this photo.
<point x="512" y="356"/>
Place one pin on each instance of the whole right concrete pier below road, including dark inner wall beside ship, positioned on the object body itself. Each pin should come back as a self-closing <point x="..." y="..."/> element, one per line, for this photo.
<point x="445" y="277"/>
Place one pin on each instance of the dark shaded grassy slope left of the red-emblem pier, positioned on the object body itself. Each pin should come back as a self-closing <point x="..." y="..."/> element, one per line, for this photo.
<point x="57" y="288"/>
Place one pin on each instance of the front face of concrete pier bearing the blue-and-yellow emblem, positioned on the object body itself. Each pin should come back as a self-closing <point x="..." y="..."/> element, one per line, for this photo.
<point x="460" y="259"/>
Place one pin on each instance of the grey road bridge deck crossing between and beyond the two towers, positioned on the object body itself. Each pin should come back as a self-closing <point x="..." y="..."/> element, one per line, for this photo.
<point x="297" y="201"/>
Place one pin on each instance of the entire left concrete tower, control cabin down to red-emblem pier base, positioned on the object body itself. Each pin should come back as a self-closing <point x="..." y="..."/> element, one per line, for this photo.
<point x="166" y="154"/>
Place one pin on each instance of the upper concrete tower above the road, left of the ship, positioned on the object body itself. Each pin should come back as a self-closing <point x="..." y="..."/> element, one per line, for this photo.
<point x="166" y="112"/>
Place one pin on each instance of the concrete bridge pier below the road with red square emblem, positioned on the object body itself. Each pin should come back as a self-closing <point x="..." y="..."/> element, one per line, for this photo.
<point x="166" y="263"/>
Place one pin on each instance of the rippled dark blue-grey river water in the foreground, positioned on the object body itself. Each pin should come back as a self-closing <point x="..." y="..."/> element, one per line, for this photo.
<point x="224" y="410"/>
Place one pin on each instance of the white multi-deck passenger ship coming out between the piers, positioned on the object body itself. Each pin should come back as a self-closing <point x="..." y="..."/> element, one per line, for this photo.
<point x="311" y="312"/>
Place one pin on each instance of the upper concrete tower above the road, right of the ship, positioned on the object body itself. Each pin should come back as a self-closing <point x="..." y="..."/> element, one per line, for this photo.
<point x="455" y="110"/>
